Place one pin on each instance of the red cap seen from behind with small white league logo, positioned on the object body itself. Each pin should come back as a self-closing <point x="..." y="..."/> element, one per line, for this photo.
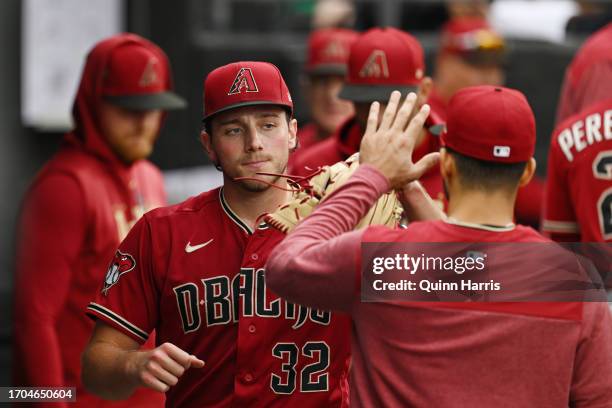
<point x="490" y="123"/>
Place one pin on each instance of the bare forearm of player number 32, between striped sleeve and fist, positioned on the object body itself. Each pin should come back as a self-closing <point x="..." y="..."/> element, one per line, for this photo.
<point x="108" y="371"/>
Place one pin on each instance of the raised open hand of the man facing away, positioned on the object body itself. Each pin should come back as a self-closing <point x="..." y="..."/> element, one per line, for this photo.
<point x="388" y="143"/>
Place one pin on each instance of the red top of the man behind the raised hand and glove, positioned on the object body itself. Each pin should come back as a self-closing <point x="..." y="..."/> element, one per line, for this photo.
<point x="345" y="142"/>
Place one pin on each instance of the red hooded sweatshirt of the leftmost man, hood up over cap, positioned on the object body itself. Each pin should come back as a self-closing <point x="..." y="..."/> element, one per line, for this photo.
<point x="78" y="209"/>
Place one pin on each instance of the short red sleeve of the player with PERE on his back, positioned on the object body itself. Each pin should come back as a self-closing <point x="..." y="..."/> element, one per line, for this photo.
<point x="559" y="221"/>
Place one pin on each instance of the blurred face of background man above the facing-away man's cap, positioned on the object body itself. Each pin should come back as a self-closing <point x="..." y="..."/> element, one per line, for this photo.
<point x="454" y="74"/>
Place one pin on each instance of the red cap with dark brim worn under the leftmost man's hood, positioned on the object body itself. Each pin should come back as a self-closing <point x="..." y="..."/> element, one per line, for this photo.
<point x="138" y="78"/>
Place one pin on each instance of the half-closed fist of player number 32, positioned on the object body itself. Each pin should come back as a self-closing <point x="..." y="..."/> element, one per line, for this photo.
<point x="162" y="367"/>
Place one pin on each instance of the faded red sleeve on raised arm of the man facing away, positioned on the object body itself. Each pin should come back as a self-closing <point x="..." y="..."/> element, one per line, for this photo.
<point x="317" y="263"/>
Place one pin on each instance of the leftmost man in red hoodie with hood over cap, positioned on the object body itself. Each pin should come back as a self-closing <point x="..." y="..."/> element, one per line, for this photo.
<point x="82" y="204"/>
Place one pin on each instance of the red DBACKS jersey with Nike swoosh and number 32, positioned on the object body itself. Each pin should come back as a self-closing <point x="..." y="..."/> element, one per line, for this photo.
<point x="194" y="272"/>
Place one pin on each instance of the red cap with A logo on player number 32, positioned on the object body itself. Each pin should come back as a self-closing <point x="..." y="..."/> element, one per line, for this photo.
<point x="244" y="83"/>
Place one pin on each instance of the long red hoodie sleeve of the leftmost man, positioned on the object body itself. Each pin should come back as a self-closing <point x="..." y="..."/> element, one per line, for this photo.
<point x="51" y="231"/>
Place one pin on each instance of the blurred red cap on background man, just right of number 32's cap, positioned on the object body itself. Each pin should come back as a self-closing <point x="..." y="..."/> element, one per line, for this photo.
<point x="328" y="51"/>
